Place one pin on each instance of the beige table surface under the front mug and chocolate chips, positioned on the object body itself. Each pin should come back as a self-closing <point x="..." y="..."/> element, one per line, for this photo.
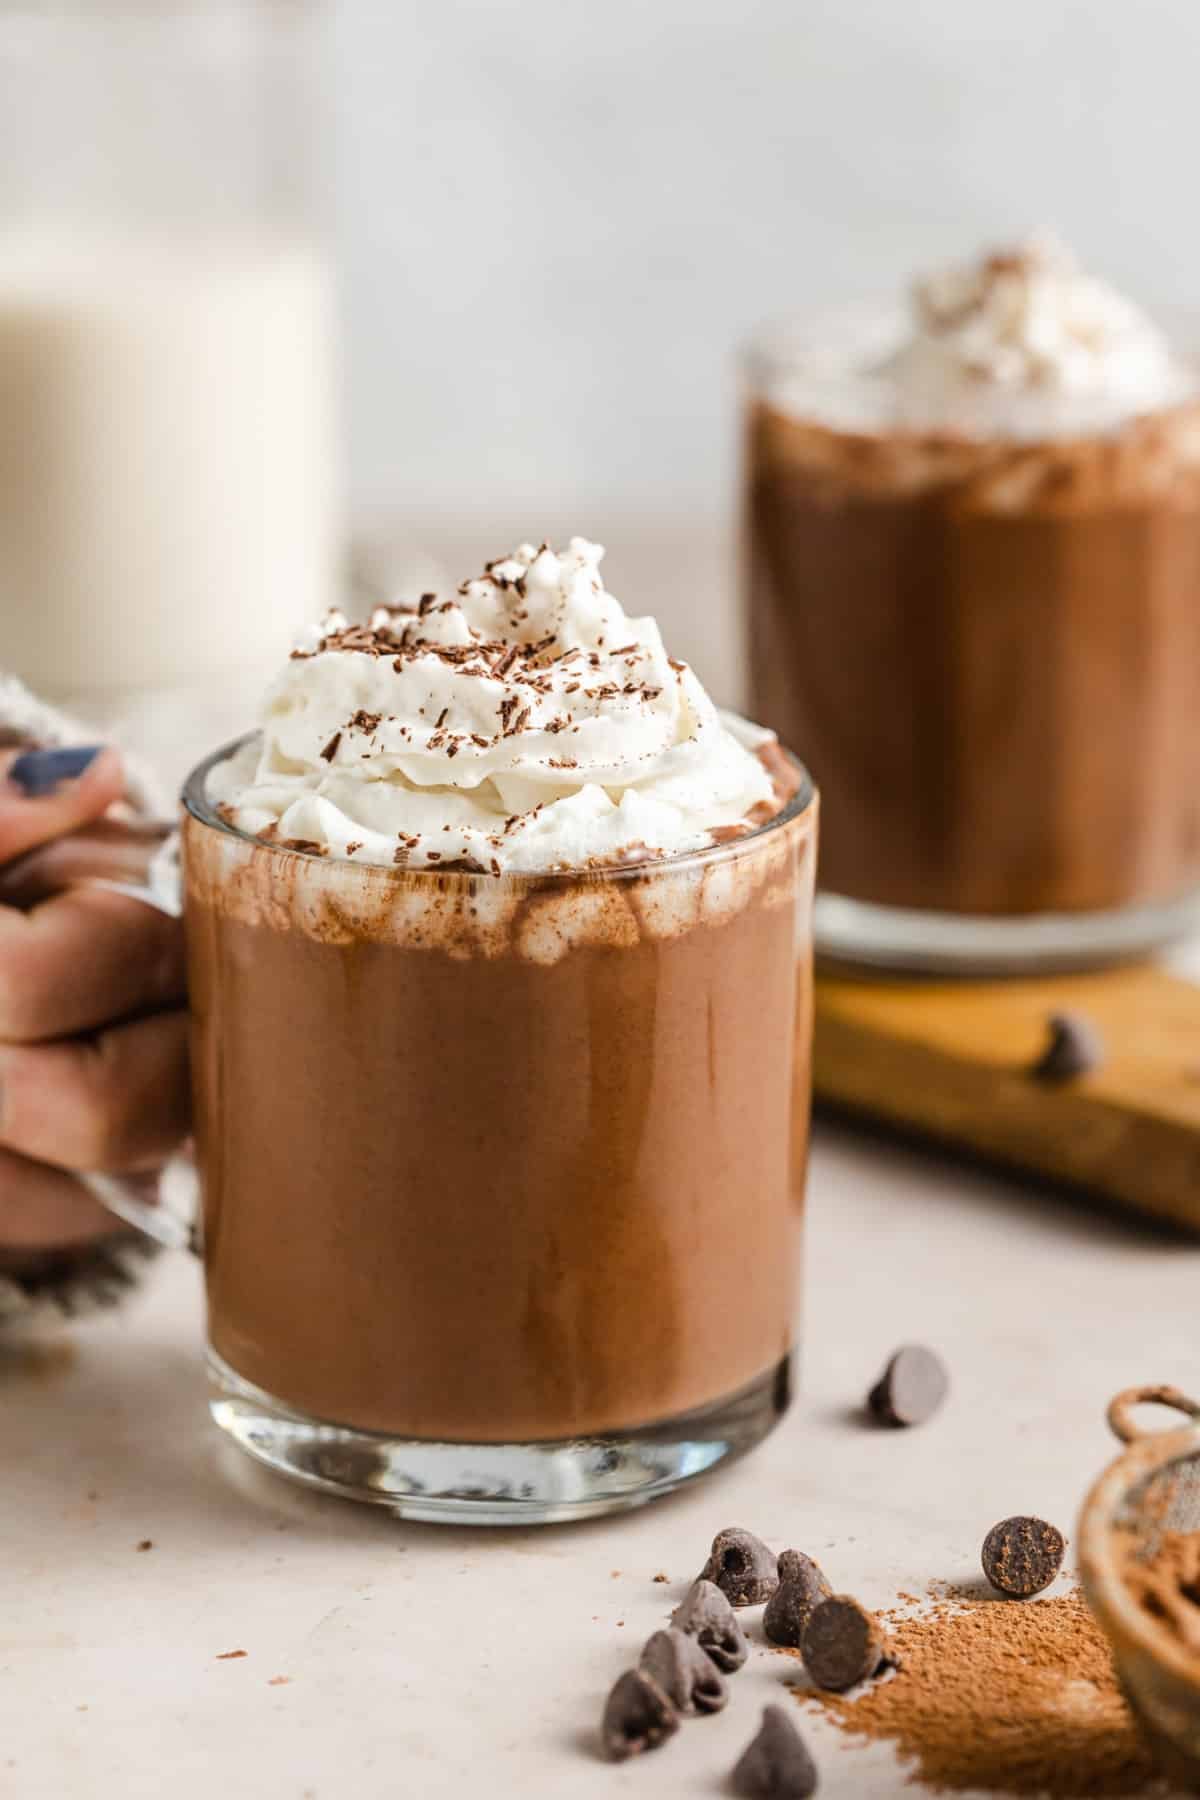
<point x="434" y="1662"/>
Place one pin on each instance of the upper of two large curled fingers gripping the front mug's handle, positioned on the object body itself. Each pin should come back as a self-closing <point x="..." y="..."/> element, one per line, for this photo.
<point x="84" y="958"/>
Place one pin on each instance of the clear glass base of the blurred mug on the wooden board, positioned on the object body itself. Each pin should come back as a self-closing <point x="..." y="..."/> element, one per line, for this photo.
<point x="906" y="940"/>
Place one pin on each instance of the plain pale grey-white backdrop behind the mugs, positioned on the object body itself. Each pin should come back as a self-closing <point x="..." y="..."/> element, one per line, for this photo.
<point x="559" y="217"/>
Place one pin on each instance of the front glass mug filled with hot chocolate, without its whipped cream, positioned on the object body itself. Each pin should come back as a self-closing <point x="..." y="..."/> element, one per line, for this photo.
<point x="503" y="1176"/>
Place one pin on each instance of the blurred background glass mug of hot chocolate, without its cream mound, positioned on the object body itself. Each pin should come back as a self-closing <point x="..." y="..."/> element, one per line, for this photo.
<point x="989" y="643"/>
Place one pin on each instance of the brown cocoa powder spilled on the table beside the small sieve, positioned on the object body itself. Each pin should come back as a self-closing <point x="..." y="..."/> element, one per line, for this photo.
<point x="1014" y="1698"/>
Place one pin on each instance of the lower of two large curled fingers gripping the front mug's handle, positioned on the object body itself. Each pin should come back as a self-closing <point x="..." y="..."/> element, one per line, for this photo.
<point x="112" y="1102"/>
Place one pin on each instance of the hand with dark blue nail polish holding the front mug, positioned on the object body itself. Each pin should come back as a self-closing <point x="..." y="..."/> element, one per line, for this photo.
<point x="93" y="1029"/>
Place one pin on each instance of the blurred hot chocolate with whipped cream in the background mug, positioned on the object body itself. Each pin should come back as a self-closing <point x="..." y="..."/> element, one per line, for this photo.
<point x="974" y="593"/>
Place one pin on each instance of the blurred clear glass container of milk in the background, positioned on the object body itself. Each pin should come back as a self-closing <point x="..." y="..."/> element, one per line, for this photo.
<point x="168" y="445"/>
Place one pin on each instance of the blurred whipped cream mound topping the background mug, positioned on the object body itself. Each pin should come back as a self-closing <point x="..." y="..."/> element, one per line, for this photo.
<point x="1017" y="343"/>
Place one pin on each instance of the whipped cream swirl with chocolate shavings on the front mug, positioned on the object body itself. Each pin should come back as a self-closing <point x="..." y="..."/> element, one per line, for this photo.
<point x="524" y="724"/>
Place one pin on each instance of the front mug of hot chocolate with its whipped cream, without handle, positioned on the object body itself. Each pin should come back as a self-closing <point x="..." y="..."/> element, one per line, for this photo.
<point x="501" y="975"/>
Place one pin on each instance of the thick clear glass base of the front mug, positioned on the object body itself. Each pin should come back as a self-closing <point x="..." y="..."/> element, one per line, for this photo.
<point x="497" y="1484"/>
